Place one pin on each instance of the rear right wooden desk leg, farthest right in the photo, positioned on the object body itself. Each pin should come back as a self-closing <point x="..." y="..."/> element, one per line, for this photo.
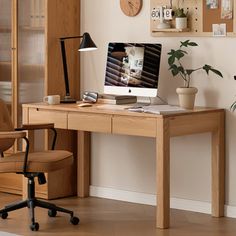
<point x="218" y="169"/>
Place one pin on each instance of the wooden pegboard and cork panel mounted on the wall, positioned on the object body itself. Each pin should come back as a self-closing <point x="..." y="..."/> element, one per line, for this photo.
<point x="200" y="19"/>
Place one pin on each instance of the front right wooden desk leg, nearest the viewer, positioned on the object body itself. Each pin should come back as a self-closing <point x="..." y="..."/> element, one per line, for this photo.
<point x="163" y="174"/>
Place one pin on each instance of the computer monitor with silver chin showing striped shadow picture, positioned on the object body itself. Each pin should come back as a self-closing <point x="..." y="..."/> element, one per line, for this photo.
<point x="132" y="69"/>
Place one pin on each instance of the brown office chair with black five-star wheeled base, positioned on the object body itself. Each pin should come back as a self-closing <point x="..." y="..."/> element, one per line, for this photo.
<point x="30" y="165"/>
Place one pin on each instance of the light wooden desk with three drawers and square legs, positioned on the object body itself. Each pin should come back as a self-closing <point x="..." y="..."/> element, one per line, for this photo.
<point x="161" y="127"/>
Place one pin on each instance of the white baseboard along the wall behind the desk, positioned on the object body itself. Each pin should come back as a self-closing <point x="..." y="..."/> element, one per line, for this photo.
<point x="150" y="199"/>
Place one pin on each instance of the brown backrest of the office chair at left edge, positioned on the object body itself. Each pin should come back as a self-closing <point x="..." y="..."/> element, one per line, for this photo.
<point x="5" y="125"/>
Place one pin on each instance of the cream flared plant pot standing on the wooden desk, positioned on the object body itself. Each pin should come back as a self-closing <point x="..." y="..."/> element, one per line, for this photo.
<point x="186" y="97"/>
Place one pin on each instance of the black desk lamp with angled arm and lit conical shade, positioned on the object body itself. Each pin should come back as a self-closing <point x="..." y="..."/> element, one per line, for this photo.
<point x="87" y="44"/>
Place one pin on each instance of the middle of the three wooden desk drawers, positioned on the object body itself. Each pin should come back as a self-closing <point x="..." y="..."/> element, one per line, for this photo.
<point x="89" y="122"/>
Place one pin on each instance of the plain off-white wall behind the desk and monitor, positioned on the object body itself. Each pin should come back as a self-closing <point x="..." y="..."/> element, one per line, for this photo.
<point x="128" y="163"/>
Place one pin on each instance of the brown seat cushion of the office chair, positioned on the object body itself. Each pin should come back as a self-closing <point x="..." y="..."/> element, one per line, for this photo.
<point x="44" y="161"/>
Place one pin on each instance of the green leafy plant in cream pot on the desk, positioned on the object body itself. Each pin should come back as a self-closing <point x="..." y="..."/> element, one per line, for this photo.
<point x="186" y="93"/>
